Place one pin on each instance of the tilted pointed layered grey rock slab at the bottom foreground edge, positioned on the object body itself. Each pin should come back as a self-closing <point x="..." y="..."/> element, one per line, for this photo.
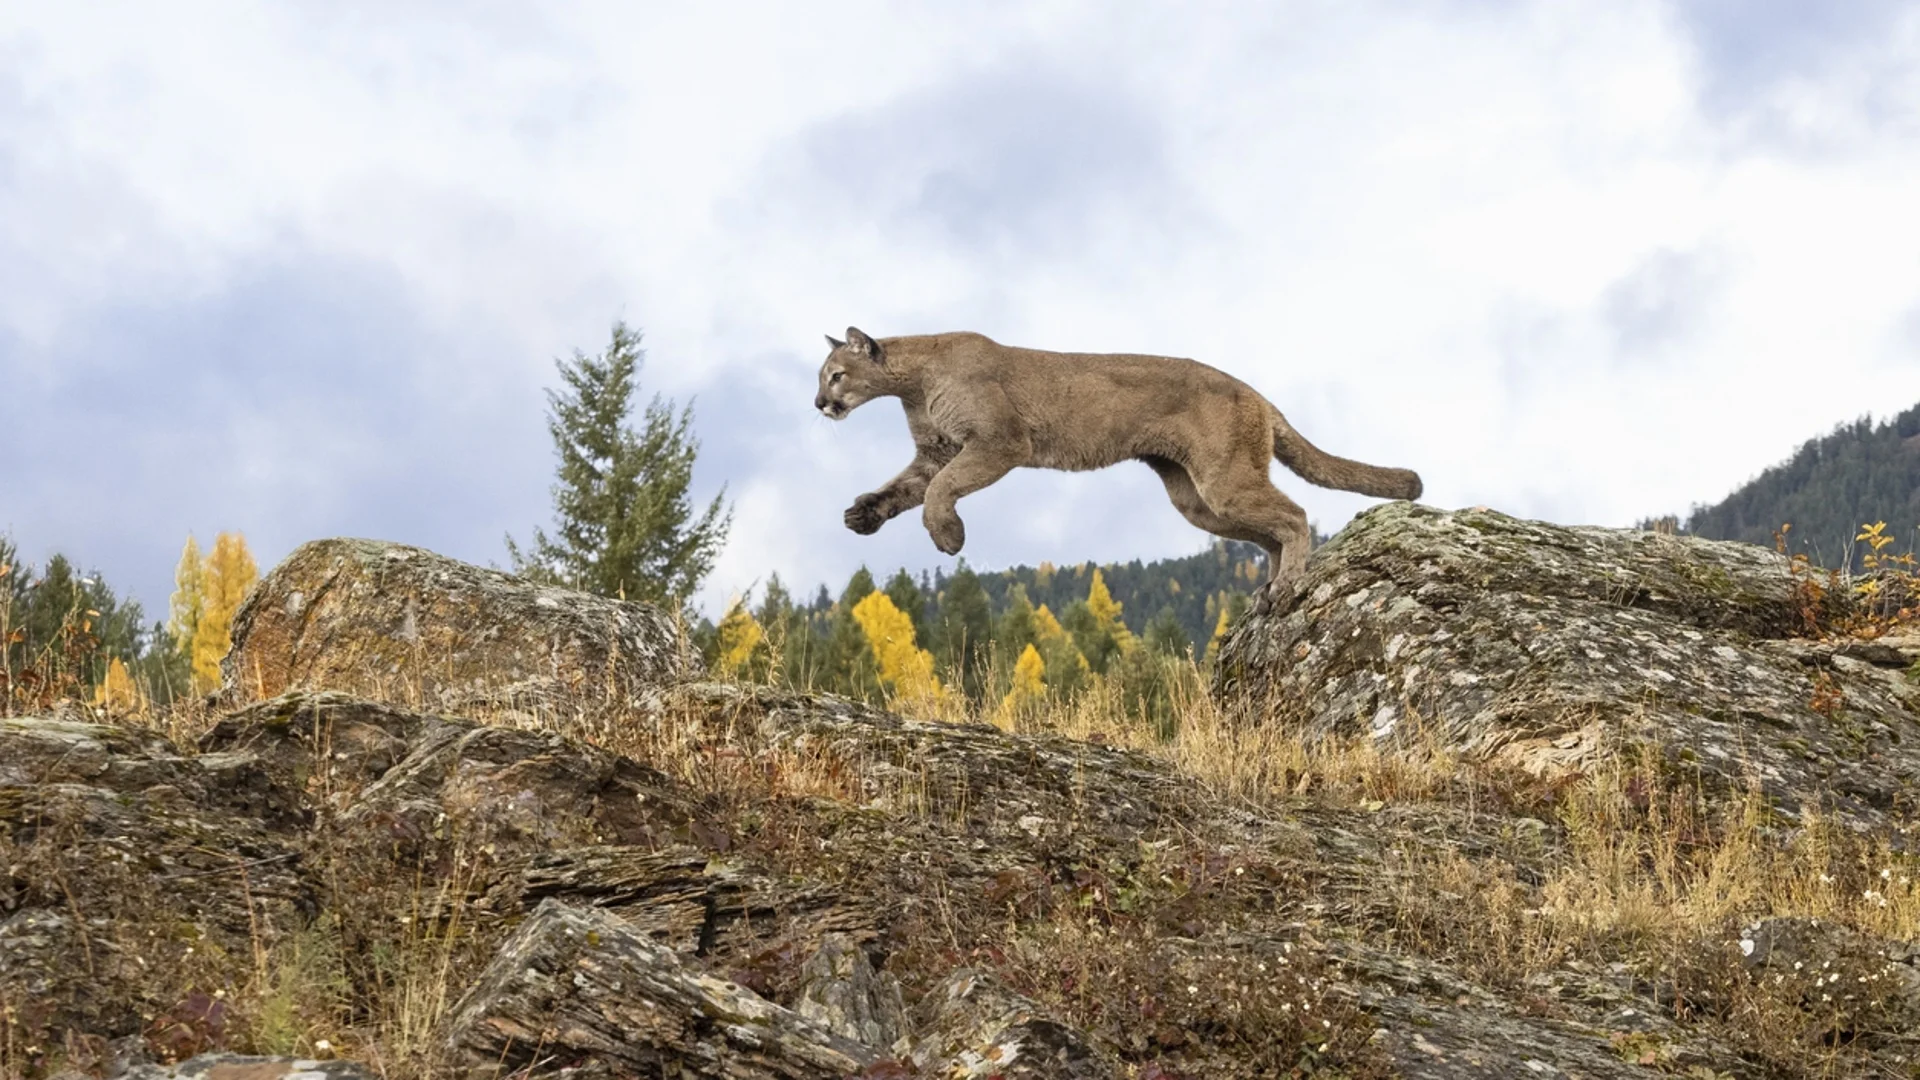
<point x="579" y="989"/>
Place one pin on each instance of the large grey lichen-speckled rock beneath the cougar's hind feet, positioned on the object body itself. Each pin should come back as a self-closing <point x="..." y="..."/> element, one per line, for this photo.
<point x="1550" y="649"/>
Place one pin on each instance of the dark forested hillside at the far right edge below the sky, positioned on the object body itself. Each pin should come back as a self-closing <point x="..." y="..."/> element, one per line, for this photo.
<point x="1856" y="476"/>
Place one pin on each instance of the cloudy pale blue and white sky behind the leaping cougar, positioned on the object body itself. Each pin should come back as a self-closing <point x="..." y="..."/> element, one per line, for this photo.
<point x="304" y="270"/>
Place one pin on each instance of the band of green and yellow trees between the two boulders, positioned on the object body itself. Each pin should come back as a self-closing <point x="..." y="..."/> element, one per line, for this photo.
<point x="992" y="643"/>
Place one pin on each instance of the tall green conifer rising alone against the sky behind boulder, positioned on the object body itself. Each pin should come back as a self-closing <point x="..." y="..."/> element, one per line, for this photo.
<point x="623" y="518"/>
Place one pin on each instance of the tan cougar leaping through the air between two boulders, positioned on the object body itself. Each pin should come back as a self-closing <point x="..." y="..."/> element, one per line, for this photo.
<point x="980" y="410"/>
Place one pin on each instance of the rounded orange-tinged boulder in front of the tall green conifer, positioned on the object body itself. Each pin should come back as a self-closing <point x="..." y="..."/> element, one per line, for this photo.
<point x="421" y="631"/>
